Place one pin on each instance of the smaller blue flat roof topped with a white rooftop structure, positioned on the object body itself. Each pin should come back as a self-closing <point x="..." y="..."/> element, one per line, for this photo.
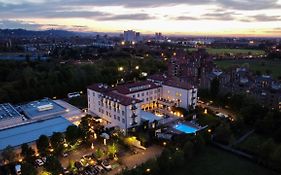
<point x="33" y="109"/>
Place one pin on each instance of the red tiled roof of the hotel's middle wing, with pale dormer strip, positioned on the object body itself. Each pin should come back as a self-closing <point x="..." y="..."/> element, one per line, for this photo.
<point x="136" y="87"/>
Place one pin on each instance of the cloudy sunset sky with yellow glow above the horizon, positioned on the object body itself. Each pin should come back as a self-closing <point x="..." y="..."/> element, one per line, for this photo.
<point x="189" y="17"/>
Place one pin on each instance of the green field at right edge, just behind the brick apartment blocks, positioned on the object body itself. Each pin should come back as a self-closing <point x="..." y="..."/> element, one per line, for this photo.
<point x="272" y="67"/>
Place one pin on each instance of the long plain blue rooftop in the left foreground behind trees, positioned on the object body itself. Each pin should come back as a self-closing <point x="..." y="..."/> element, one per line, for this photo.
<point x="31" y="132"/>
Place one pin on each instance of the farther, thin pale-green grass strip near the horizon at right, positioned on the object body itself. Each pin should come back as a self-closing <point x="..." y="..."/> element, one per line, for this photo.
<point x="215" y="51"/>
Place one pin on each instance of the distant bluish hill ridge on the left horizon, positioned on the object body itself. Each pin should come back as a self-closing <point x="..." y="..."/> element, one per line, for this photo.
<point x="4" y="33"/>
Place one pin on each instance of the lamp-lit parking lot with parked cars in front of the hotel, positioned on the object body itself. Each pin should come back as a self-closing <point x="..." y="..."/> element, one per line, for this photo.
<point x="88" y="164"/>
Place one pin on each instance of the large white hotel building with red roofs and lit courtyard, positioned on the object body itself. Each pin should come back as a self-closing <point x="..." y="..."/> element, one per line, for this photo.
<point x="124" y="105"/>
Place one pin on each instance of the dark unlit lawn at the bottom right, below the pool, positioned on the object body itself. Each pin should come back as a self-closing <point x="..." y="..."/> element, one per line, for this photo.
<point x="214" y="161"/>
